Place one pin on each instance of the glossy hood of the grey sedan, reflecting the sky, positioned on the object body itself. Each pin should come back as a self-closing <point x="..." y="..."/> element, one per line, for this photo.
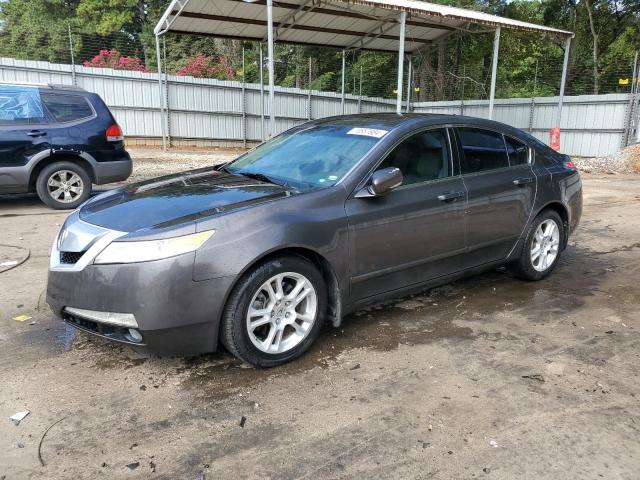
<point x="176" y="199"/>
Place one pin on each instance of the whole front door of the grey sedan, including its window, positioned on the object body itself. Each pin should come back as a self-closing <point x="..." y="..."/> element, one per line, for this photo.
<point x="415" y="232"/>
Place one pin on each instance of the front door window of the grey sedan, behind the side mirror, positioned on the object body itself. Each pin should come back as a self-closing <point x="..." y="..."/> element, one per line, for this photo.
<point x="421" y="157"/>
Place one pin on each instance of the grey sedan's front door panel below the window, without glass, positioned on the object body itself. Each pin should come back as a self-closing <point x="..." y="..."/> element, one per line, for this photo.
<point x="406" y="237"/>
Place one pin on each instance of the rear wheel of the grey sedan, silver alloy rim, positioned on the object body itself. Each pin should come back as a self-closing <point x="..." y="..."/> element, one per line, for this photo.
<point x="531" y="267"/>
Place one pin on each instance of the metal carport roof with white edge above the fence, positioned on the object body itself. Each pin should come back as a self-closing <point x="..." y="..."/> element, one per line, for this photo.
<point x="347" y="24"/>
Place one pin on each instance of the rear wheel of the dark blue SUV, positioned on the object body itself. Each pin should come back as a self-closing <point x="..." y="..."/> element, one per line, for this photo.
<point x="67" y="196"/>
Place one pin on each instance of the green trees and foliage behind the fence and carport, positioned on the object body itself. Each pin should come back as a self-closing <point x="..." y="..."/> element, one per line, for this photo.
<point x="529" y="62"/>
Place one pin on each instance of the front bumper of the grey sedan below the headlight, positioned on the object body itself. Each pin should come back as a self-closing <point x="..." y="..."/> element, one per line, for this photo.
<point x="175" y="315"/>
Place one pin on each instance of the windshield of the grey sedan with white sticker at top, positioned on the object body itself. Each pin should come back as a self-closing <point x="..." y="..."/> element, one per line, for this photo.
<point x="315" y="157"/>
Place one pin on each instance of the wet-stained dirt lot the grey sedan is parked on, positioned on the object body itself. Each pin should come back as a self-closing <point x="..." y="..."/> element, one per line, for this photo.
<point x="489" y="377"/>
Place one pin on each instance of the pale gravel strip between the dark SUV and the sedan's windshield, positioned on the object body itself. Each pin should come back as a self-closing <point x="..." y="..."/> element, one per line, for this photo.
<point x="149" y="163"/>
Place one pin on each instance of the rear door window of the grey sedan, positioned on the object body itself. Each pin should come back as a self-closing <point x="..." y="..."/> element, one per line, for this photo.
<point x="483" y="150"/>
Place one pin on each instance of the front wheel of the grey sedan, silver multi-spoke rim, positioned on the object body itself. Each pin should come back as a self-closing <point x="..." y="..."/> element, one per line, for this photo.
<point x="253" y="345"/>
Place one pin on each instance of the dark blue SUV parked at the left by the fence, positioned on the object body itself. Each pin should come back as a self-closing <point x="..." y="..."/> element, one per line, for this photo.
<point x="58" y="141"/>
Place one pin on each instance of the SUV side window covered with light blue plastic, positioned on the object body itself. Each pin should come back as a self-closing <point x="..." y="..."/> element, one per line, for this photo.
<point x="20" y="106"/>
